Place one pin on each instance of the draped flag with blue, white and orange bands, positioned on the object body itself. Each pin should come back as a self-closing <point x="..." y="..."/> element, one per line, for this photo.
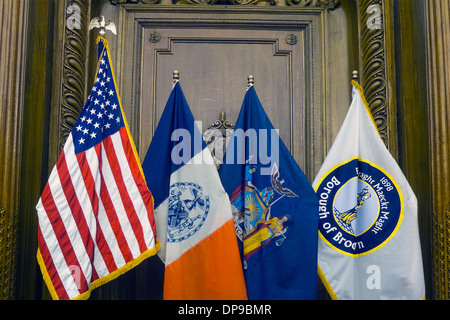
<point x="192" y="211"/>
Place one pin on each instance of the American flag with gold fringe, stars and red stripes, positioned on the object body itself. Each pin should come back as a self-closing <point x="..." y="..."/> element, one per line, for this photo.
<point x="96" y="212"/>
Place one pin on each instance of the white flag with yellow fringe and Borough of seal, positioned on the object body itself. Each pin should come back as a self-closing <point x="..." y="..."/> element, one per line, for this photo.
<point x="369" y="244"/>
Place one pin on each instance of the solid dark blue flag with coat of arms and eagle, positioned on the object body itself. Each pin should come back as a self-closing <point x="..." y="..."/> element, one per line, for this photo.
<point x="274" y="206"/>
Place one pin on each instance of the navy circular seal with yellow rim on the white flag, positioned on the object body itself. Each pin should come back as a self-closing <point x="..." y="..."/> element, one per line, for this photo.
<point x="360" y="207"/>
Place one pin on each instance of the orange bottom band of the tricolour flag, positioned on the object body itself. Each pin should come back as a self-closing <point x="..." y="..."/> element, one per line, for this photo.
<point x="211" y="270"/>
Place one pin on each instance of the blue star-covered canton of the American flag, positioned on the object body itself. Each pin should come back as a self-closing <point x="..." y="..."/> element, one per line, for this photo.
<point x="101" y="116"/>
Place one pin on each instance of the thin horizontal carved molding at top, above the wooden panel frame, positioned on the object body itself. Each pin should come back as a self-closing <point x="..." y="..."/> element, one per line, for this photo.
<point x="326" y="4"/>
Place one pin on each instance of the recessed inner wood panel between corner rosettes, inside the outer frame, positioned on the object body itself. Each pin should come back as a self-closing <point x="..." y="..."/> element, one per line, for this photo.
<point x="214" y="66"/>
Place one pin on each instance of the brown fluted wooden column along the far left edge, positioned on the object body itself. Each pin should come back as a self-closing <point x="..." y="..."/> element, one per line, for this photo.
<point x="13" y="19"/>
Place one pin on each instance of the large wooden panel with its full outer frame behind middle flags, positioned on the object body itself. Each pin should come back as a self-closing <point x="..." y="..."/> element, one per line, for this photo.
<point x="215" y="50"/>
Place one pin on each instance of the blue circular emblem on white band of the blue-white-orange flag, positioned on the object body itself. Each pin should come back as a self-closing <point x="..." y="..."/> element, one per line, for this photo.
<point x="188" y="209"/>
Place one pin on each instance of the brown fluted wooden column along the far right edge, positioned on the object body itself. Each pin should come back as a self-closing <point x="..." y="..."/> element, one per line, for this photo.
<point x="438" y="47"/>
